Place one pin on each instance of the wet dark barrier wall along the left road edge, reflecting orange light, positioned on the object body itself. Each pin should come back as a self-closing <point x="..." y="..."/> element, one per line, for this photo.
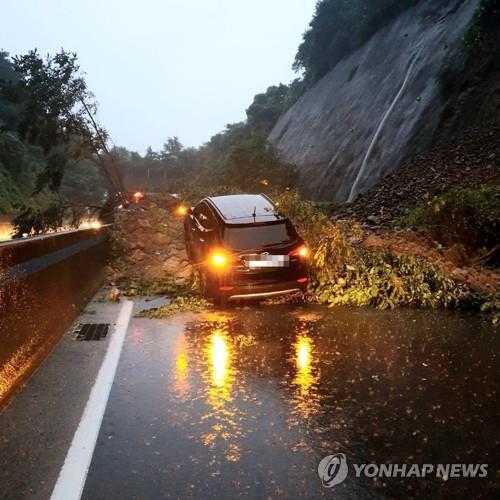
<point x="45" y="281"/>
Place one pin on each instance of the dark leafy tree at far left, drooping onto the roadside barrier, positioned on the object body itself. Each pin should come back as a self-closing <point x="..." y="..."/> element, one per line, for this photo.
<point x="49" y="127"/>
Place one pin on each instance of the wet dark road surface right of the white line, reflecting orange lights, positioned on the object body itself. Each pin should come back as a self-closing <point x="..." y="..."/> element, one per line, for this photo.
<point x="246" y="402"/>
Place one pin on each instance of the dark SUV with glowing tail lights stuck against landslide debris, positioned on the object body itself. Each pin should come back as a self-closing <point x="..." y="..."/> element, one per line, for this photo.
<point x="245" y="248"/>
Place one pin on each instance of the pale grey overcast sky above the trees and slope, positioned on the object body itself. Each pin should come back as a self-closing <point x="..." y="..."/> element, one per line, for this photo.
<point x="166" y="67"/>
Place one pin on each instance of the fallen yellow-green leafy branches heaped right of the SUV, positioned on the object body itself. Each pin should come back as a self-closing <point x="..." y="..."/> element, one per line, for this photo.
<point x="346" y="273"/>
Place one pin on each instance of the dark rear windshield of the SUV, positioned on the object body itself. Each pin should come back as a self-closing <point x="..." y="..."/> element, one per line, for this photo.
<point x="257" y="237"/>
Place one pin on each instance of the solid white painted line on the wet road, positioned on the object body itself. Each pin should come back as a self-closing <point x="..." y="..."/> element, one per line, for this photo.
<point x="71" y="480"/>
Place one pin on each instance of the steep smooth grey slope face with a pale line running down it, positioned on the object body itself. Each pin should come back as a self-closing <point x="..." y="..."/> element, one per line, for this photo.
<point x="376" y="107"/>
